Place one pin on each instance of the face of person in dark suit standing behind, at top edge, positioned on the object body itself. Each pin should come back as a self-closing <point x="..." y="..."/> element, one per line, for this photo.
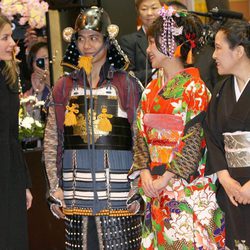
<point x="149" y="11"/>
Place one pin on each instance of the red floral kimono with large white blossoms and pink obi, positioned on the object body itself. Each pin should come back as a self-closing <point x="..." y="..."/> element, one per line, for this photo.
<point x="170" y="137"/>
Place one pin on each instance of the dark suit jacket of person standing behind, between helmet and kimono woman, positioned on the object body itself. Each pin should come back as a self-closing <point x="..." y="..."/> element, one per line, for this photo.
<point x="135" y="45"/>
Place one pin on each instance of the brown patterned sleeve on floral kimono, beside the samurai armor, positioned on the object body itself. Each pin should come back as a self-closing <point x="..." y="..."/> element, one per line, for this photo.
<point x="141" y="155"/>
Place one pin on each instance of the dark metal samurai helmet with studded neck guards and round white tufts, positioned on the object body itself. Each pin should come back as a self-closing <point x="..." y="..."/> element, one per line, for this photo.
<point x="94" y="18"/>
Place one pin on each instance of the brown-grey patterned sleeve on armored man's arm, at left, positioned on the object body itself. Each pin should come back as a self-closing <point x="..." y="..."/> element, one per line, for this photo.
<point x="50" y="149"/>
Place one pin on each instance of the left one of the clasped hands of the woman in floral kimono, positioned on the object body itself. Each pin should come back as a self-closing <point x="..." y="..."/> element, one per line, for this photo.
<point x="147" y="183"/>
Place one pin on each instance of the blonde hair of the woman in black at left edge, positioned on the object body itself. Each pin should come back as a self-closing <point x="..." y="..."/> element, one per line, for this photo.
<point x="10" y="68"/>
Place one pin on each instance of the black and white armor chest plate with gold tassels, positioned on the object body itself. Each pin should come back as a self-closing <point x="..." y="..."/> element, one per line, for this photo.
<point x="96" y="118"/>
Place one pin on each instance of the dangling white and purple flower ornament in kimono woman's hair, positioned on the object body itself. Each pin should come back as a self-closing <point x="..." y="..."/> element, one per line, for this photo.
<point x="170" y="30"/>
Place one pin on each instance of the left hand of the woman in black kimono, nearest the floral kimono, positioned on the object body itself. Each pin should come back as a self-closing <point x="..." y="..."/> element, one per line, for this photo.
<point x="231" y="186"/>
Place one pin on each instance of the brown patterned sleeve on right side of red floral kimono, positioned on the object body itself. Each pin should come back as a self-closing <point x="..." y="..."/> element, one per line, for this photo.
<point x="186" y="162"/>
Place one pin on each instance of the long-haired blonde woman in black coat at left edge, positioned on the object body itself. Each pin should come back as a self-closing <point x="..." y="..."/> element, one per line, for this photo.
<point x="15" y="197"/>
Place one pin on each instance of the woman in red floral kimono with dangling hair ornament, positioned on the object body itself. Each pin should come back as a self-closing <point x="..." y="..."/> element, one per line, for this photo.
<point x="181" y="211"/>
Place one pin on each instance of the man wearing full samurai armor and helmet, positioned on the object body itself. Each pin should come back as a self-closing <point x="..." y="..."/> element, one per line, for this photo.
<point x="88" y="139"/>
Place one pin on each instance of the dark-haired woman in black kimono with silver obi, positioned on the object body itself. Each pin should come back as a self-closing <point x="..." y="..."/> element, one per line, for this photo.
<point x="228" y="130"/>
